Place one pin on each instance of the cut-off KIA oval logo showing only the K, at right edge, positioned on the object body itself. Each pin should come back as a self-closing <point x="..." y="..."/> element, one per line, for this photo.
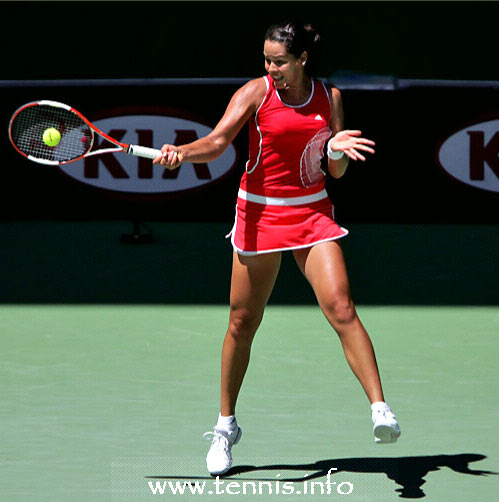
<point x="471" y="155"/>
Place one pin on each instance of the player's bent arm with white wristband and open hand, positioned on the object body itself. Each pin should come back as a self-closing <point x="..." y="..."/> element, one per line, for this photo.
<point x="345" y="144"/>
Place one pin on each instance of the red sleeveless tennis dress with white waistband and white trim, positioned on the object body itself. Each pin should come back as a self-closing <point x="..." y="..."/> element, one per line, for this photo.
<point x="282" y="202"/>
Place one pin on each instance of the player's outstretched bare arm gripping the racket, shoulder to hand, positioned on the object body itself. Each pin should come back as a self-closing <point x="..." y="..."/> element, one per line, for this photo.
<point x="242" y="106"/>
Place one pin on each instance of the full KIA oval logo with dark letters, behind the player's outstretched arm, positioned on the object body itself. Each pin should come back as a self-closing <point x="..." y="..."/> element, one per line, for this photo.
<point x="120" y="172"/>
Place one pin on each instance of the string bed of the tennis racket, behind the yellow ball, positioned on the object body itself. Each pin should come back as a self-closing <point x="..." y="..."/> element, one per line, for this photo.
<point x="29" y="125"/>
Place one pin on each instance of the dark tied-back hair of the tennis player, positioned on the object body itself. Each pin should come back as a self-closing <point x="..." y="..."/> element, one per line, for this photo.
<point x="298" y="38"/>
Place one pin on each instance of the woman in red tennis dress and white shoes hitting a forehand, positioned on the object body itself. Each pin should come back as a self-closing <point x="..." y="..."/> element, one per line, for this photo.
<point x="282" y="205"/>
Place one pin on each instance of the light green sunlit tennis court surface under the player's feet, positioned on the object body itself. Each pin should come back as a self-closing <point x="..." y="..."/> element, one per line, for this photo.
<point x="100" y="401"/>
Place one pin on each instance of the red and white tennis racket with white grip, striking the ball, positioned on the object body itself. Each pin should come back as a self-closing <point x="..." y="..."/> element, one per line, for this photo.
<point x="29" y="123"/>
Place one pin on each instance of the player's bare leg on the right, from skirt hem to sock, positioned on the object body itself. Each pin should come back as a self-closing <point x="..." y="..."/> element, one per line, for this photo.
<point x="324" y="267"/>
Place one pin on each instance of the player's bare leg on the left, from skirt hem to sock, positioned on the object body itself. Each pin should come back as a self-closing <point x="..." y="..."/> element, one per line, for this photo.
<point x="253" y="278"/>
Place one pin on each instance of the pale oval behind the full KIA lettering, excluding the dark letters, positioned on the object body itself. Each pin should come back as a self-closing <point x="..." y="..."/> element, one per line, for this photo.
<point x="164" y="129"/>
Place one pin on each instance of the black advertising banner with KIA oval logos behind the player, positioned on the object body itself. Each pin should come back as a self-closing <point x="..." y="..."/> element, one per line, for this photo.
<point x="436" y="161"/>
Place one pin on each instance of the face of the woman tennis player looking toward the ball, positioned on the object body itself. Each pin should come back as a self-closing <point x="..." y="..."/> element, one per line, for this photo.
<point x="286" y="70"/>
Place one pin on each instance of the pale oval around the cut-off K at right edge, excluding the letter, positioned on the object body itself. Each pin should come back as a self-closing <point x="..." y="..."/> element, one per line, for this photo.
<point x="453" y="155"/>
